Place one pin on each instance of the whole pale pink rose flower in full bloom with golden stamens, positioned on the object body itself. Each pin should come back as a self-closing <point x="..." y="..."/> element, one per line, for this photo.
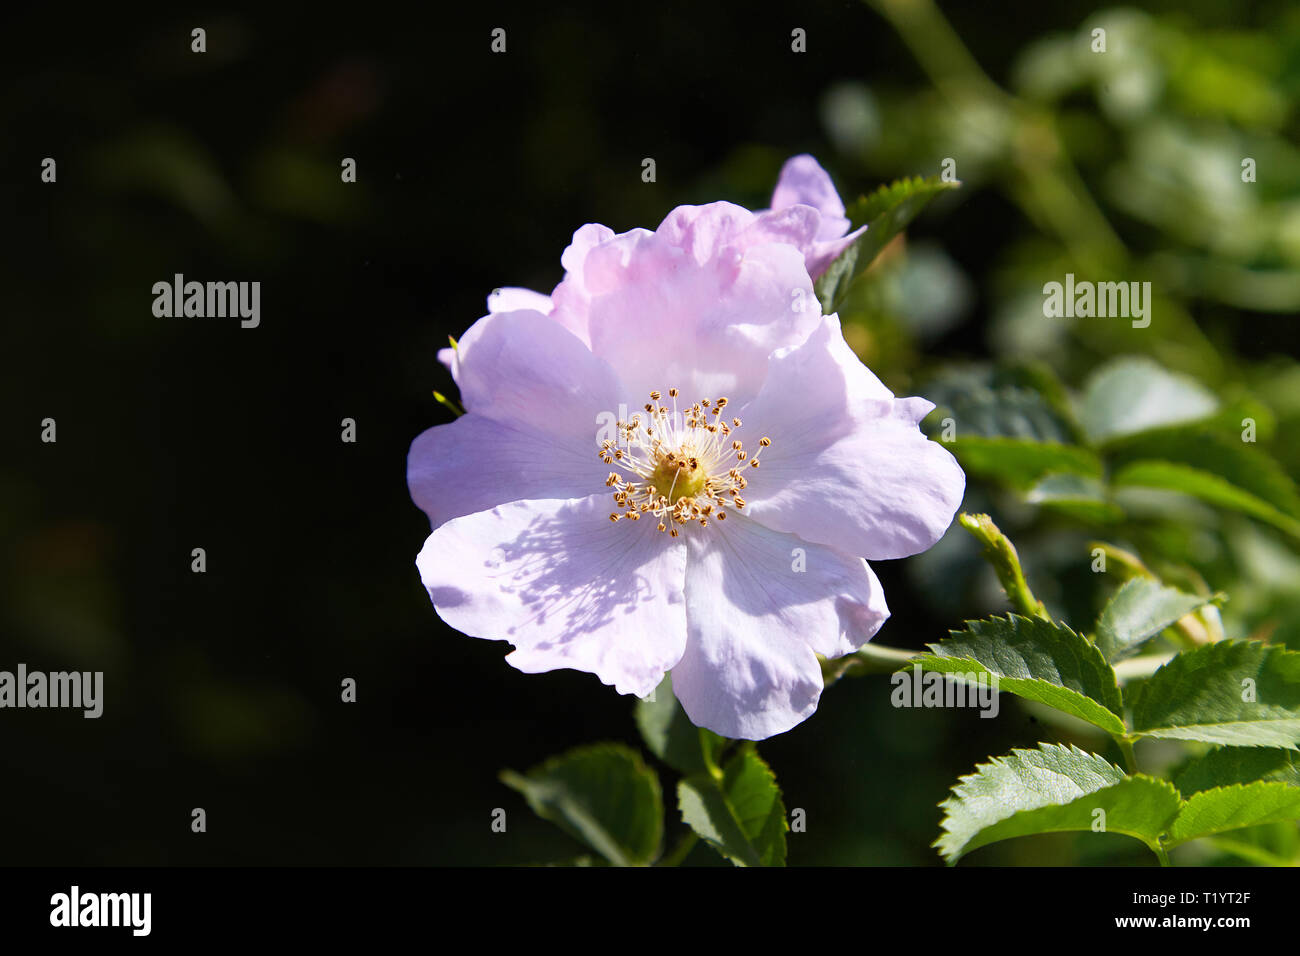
<point x="632" y="552"/>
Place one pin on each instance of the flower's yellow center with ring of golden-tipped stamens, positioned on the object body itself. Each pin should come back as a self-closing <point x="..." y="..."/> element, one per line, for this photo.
<point x="679" y="466"/>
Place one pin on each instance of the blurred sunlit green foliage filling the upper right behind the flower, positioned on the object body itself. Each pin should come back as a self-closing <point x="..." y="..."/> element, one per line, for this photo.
<point x="1169" y="158"/>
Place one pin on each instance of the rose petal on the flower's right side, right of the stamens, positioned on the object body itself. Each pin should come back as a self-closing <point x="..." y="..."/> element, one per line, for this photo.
<point x="848" y="466"/>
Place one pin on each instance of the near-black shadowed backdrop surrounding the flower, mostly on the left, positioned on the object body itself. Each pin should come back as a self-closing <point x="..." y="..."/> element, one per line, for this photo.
<point x="223" y="689"/>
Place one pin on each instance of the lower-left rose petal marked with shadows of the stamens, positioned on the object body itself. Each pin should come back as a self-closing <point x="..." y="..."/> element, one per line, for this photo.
<point x="566" y="586"/>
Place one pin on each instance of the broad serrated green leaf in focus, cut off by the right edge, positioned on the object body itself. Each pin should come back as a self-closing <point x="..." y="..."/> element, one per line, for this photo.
<point x="1238" y="694"/>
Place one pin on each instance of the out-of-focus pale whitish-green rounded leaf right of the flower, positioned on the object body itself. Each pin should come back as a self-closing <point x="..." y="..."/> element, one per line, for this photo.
<point x="1133" y="395"/>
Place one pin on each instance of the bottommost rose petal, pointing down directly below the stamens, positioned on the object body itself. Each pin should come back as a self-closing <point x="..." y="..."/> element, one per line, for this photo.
<point x="756" y="624"/>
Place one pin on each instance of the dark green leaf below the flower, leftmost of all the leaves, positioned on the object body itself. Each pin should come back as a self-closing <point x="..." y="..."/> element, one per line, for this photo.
<point x="603" y="795"/>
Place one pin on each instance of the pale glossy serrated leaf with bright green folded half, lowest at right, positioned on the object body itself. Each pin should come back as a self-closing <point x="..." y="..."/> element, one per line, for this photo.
<point x="1051" y="790"/>
